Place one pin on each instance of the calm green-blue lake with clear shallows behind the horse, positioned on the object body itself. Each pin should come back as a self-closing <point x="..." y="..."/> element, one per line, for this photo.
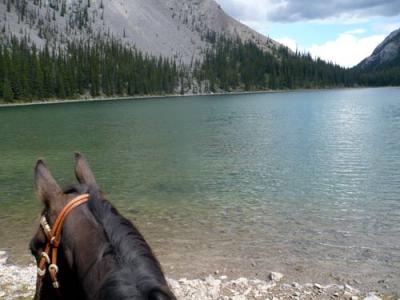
<point x="304" y="183"/>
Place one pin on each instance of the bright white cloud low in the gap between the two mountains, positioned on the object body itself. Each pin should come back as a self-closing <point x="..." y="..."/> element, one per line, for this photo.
<point x="348" y="49"/>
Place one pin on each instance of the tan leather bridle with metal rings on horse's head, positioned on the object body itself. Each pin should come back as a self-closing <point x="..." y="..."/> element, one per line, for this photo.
<point x="53" y="236"/>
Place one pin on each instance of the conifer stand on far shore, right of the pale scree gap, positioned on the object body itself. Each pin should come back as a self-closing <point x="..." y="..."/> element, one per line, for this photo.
<point x="232" y="64"/>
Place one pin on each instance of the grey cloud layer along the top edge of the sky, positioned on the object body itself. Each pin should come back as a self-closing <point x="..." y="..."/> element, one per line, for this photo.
<point x="303" y="10"/>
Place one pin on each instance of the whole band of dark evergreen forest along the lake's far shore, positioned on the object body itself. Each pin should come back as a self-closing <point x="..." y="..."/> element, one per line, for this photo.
<point x="107" y="68"/>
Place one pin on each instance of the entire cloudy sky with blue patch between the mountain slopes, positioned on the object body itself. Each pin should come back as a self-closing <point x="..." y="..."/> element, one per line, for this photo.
<point x="340" y="31"/>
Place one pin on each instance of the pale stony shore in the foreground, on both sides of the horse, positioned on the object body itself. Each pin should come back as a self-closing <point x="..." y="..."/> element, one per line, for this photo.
<point x="19" y="283"/>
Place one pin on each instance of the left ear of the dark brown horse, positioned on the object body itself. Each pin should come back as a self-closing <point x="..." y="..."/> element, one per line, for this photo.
<point x="45" y="185"/>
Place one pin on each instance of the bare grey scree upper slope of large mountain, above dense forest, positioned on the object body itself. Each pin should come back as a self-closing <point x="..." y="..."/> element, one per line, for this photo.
<point x="179" y="29"/>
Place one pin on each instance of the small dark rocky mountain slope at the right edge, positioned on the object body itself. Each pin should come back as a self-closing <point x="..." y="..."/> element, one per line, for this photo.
<point x="386" y="55"/>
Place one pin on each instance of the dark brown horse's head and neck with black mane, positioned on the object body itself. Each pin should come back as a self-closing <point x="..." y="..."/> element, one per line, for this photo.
<point x="101" y="255"/>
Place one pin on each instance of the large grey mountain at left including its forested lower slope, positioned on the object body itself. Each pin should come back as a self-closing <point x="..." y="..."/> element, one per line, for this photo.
<point x="58" y="49"/>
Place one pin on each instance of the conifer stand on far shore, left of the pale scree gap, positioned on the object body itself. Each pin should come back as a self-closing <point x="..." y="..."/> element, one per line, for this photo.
<point x="81" y="68"/>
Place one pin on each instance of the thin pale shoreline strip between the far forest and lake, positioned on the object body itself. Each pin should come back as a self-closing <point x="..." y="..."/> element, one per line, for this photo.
<point x="168" y="96"/>
